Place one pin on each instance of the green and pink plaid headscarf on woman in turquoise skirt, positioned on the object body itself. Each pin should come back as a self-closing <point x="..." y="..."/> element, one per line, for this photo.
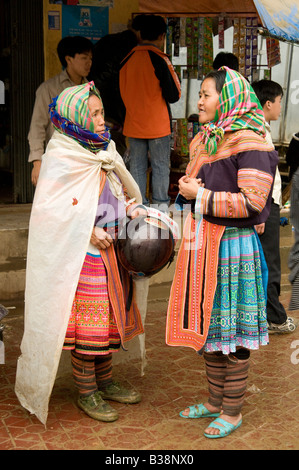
<point x="239" y="108"/>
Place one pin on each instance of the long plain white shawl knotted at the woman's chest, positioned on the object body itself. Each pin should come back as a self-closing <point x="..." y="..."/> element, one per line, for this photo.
<point x="61" y="223"/>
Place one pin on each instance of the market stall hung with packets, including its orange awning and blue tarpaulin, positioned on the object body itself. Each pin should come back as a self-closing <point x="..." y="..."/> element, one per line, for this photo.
<point x="197" y="31"/>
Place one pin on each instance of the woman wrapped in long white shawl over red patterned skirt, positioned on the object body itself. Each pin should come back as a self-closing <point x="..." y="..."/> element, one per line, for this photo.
<point x="75" y="296"/>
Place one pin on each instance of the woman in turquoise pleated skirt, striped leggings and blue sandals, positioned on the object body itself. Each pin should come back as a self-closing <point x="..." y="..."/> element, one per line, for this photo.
<point x="217" y="303"/>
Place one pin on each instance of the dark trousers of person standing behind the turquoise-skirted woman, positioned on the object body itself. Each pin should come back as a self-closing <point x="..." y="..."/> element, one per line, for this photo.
<point x="270" y="243"/>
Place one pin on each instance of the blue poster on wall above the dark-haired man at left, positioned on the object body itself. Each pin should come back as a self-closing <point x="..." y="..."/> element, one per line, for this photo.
<point x="88" y="21"/>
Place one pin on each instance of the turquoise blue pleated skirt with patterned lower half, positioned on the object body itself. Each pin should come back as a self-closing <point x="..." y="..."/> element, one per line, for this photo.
<point x="239" y="315"/>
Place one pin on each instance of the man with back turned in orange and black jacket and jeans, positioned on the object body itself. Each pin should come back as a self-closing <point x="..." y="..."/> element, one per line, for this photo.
<point x="148" y="83"/>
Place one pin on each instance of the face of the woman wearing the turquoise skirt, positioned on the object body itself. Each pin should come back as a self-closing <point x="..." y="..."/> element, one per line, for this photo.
<point x="208" y="101"/>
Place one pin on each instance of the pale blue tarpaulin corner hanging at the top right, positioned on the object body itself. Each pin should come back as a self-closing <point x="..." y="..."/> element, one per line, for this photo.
<point x="280" y="18"/>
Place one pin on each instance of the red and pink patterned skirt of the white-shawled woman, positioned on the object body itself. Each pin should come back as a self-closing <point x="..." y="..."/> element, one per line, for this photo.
<point x="92" y="327"/>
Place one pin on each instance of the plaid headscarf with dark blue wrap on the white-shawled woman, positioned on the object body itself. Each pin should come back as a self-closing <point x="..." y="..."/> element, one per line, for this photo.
<point x="70" y="115"/>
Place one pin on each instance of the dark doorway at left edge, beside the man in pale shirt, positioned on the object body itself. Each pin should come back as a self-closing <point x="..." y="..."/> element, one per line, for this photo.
<point x="21" y="72"/>
